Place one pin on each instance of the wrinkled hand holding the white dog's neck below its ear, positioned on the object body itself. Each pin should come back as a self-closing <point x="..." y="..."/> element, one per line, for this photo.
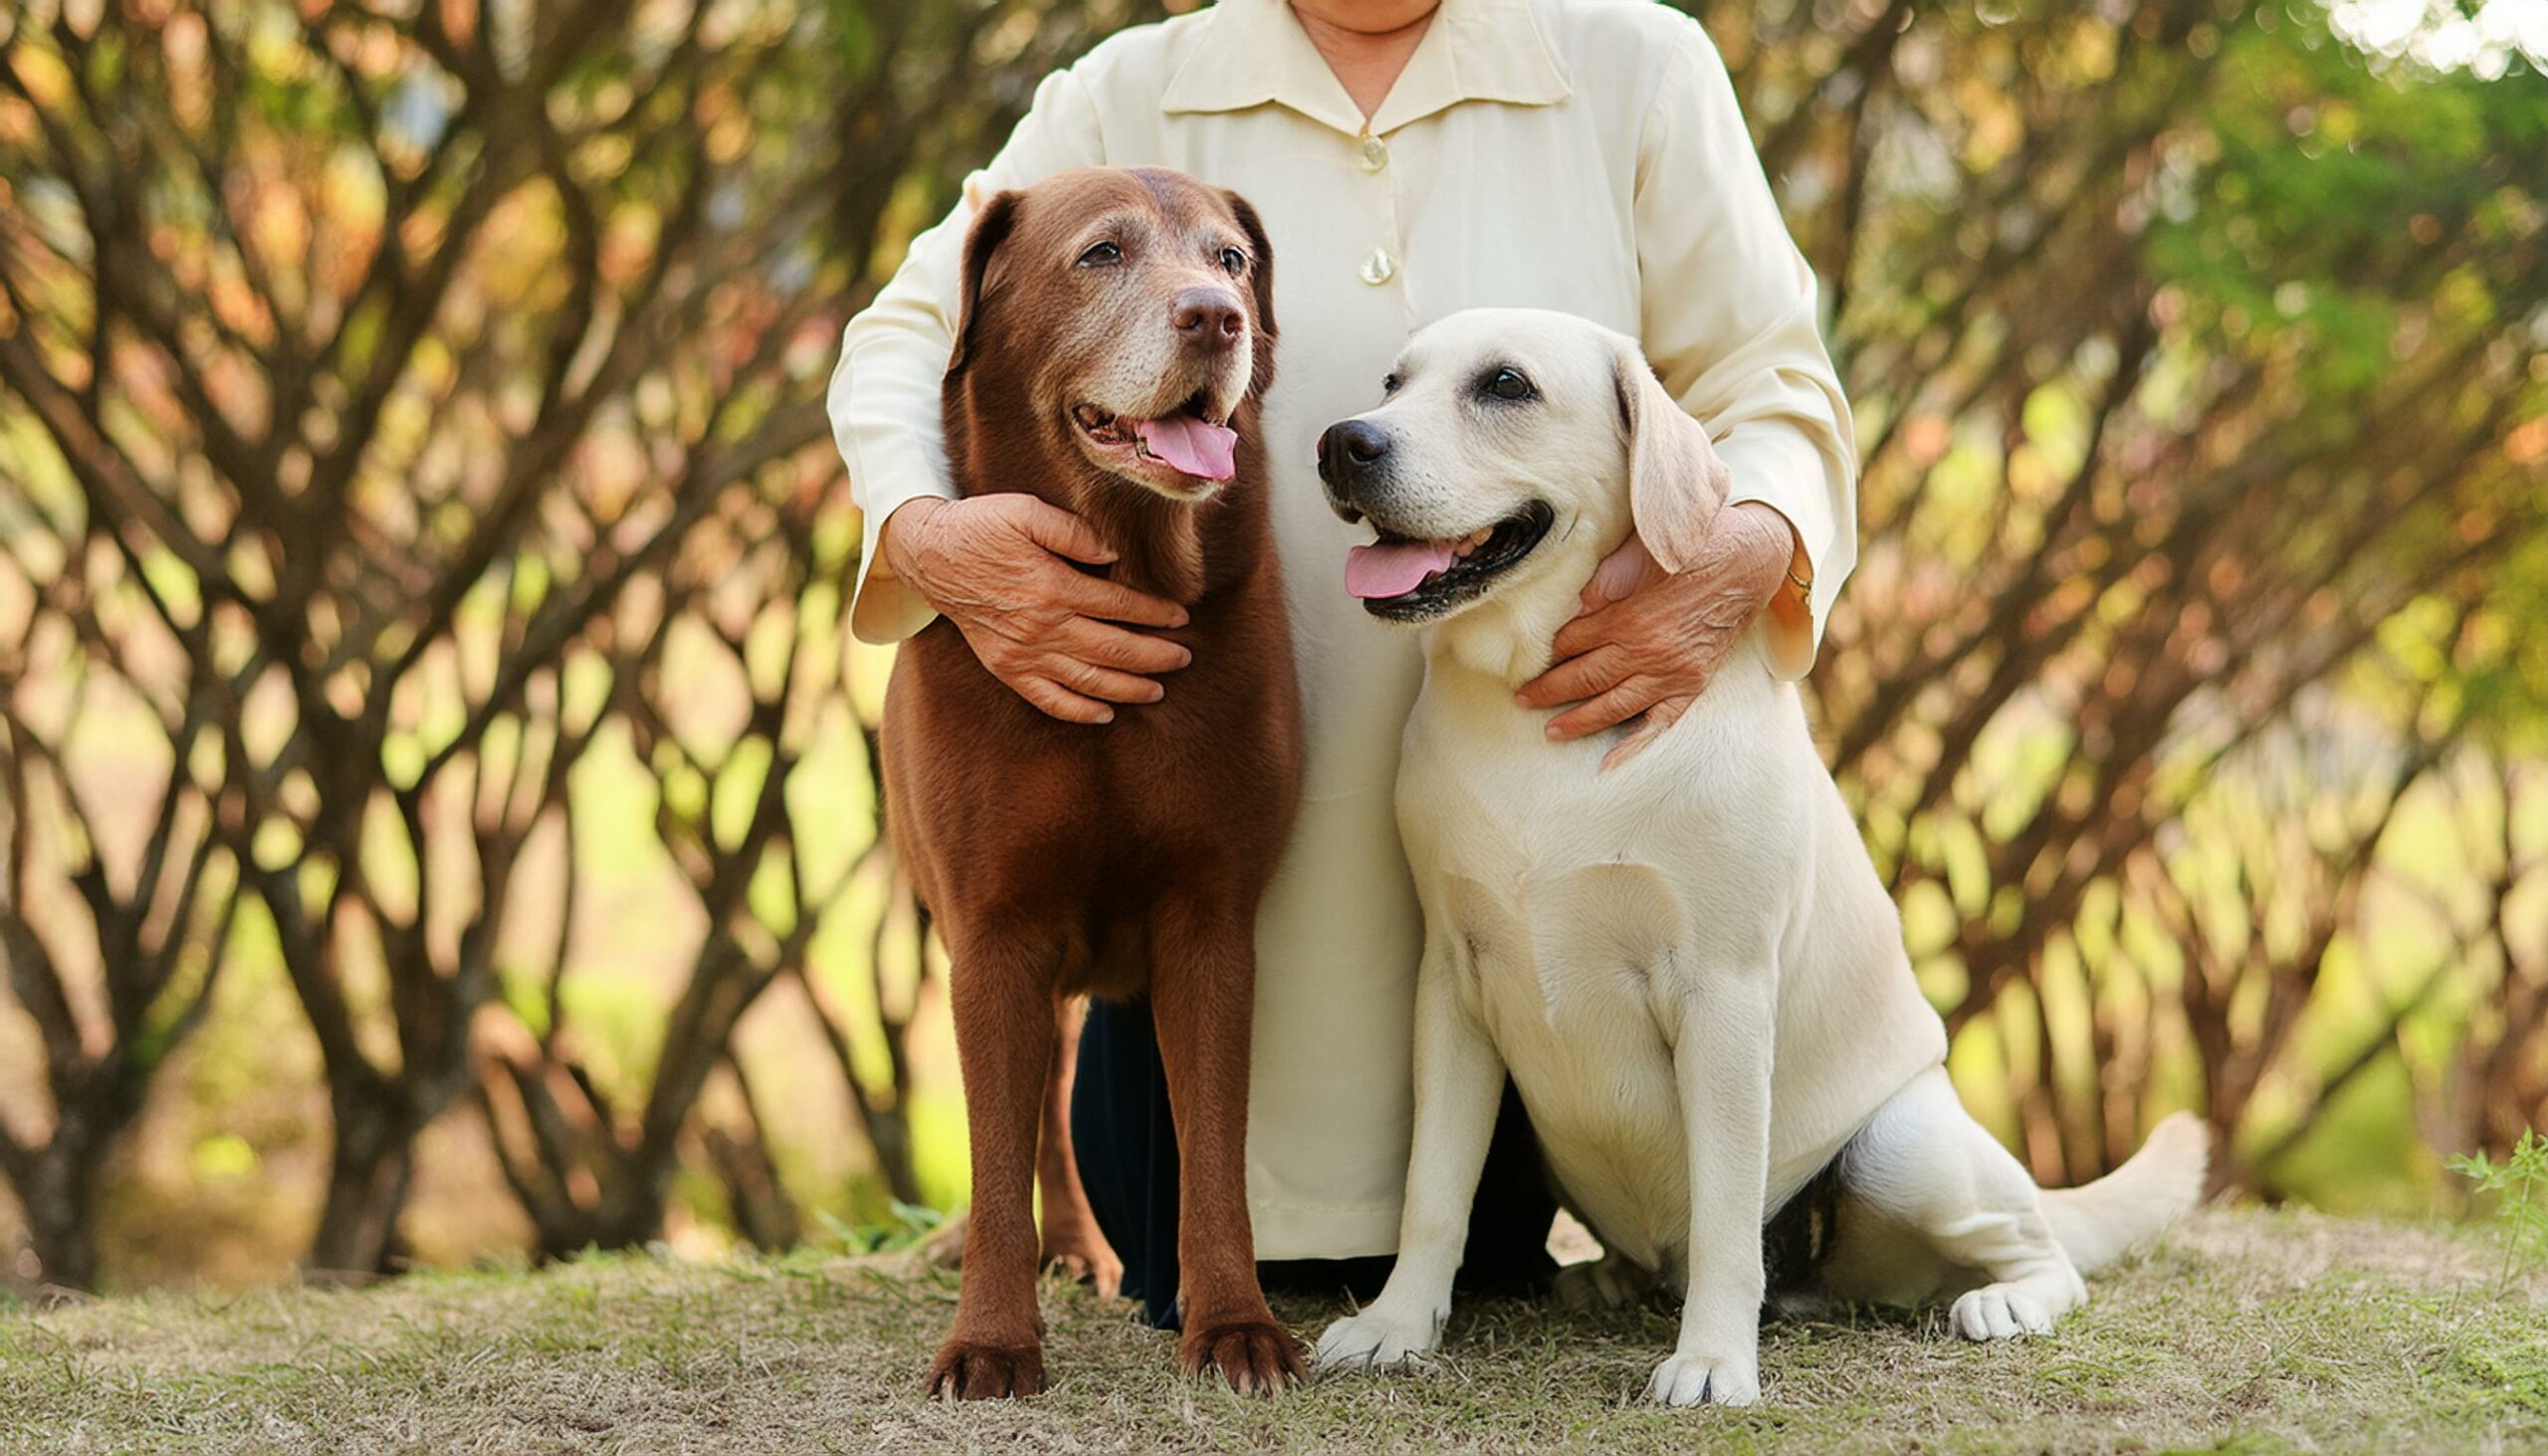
<point x="1647" y="639"/>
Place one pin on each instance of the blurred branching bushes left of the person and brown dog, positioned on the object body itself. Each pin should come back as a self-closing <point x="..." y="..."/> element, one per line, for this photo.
<point x="419" y="414"/>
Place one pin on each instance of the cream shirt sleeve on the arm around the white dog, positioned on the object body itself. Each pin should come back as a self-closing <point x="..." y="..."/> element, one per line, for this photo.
<point x="1729" y="325"/>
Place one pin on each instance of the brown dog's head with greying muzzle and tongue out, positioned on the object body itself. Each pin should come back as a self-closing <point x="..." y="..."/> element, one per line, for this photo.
<point x="1130" y="310"/>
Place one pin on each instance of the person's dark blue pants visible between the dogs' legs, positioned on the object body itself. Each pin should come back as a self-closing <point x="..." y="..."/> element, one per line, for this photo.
<point x="1127" y="1151"/>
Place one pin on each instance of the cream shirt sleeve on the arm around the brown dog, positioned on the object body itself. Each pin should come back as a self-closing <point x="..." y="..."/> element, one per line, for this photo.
<point x="896" y="356"/>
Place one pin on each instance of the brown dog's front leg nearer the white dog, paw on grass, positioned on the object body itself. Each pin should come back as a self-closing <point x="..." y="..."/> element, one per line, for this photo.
<point x="1204" y="988"/>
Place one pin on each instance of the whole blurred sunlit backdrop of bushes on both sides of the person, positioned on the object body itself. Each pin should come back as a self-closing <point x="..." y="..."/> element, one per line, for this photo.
<point x="437" y="787"/>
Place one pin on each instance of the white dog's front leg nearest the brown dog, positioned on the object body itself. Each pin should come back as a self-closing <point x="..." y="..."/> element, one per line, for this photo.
<point x="1459" y="1090"/>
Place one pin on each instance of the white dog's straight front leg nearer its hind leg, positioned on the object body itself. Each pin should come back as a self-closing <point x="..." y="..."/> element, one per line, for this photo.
<point x="1721" y="1062"/>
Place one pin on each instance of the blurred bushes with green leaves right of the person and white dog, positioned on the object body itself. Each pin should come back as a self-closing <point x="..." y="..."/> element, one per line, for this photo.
<point x="2193" y="682"/>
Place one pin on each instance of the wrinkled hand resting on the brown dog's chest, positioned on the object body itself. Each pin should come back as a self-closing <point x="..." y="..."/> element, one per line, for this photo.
<point x="1003" y="570"/>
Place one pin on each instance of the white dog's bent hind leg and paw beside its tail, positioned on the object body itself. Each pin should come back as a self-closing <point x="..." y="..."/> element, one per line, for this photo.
<point x="1925" y="1161"/>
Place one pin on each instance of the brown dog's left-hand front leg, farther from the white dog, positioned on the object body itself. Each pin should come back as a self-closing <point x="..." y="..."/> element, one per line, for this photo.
<point x="1003" y="998"/>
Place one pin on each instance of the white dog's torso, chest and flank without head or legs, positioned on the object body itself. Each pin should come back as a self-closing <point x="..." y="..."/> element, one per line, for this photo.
<point x="1584" y="917"/>
